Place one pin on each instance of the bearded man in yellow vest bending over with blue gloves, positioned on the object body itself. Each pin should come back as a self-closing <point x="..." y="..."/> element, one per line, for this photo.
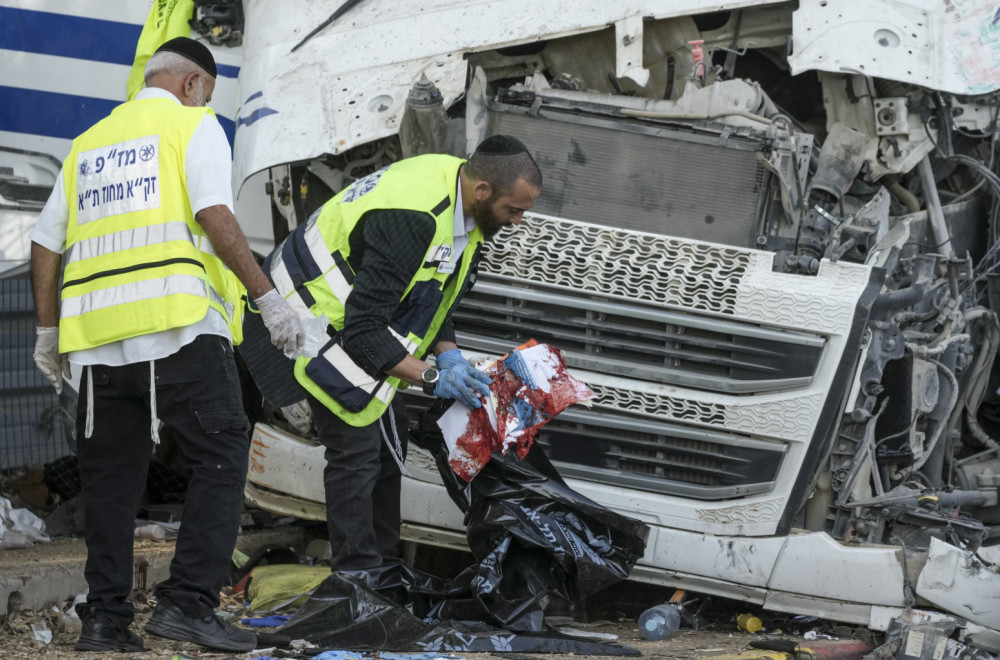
<point x="385" y="261"/>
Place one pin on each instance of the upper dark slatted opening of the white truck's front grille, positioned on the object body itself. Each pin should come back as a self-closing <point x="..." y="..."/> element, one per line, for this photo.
<point x="648" y="344"/>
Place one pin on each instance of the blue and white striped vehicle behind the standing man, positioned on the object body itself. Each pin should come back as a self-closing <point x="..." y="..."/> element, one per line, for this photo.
<point x="65" y="67"/>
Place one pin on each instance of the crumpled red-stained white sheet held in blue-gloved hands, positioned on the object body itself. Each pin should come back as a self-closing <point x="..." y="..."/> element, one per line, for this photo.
<point x="531" y="385"/>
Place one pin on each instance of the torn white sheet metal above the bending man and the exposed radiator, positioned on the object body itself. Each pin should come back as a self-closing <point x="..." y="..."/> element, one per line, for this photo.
<point x="348" y="84"/>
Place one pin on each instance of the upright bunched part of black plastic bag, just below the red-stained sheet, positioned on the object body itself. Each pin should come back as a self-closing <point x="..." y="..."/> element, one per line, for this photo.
<point x="541" y="548"/>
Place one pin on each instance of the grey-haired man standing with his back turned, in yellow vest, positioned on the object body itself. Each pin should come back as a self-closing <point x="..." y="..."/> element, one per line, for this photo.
<point x="153" y="264"/>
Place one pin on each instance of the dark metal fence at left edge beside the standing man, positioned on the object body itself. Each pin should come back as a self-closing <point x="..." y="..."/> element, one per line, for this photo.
<point x="32" y="429"/>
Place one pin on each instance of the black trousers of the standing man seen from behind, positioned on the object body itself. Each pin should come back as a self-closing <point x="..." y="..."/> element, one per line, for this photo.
<point x="198" y="396"/>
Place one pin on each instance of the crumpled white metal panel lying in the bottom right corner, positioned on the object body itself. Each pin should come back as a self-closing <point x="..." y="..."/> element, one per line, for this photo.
<point x="958" y="582"/>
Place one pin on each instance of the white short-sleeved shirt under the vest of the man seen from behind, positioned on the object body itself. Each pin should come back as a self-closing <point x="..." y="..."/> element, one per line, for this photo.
<point x="208" y="168"/>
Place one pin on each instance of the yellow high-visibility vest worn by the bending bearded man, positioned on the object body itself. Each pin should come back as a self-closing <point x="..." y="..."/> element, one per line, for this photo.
<point x="311" y="270"/>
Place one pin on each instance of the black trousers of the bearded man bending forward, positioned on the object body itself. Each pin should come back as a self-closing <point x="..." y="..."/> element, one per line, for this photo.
<point x="362" y="482"/>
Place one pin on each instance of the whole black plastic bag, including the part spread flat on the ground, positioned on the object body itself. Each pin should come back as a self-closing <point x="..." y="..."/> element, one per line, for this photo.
<point x="540" y="549"/>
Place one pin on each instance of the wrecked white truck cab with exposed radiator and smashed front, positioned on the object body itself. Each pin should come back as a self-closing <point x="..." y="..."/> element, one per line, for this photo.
<point x="767" y="241"/>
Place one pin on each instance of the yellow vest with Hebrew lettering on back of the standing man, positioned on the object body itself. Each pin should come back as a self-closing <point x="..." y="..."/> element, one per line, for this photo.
<point x="136" y="261"/>
